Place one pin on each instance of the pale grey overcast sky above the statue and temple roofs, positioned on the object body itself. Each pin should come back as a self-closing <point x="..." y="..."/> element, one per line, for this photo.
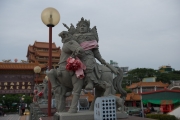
<point x="133" y="33"/>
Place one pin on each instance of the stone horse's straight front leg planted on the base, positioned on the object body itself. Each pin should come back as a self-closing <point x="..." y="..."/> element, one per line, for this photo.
<point x="77" y="86"/>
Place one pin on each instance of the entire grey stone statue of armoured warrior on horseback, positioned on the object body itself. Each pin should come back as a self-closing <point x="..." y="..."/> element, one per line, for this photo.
<point x="78" y="68"/>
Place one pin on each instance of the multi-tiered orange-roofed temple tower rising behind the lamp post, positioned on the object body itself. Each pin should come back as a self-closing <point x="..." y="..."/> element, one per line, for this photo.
<point x="39" y="52"/>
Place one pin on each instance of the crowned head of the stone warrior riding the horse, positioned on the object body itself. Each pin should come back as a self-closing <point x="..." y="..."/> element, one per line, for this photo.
<point x="83" y="26"/>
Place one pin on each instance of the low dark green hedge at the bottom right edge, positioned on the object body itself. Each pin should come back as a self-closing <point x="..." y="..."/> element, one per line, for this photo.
<point x="161" y="116"/>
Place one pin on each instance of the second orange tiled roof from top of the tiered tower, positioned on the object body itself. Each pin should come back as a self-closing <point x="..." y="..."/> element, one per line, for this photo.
<point x="46" y="53"/>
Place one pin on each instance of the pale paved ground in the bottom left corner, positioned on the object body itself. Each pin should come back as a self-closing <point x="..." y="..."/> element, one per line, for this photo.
<point x="14" y="117"/>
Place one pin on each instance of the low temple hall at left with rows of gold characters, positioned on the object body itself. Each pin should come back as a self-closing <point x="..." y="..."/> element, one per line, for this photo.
<point x="19" y="77"/>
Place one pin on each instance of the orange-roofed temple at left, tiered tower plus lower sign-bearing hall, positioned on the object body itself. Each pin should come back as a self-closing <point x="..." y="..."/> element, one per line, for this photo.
<point x="19" y="76"/>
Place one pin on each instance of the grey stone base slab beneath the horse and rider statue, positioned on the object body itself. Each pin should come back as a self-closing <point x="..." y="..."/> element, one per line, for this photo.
<point x="82" y="115"/>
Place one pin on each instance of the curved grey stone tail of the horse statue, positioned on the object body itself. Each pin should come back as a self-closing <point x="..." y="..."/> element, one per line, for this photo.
<point x="117" y="83"/>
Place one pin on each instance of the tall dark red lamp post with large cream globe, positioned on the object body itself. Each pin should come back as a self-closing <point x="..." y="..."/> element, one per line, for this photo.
<point x="50" y="17"/>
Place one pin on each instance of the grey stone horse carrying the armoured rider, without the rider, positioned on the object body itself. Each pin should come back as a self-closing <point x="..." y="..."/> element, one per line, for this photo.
<point x="64" y="82"/>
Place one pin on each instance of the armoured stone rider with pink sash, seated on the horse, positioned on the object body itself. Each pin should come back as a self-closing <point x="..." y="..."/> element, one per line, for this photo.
<point x="84" y="37"/>
